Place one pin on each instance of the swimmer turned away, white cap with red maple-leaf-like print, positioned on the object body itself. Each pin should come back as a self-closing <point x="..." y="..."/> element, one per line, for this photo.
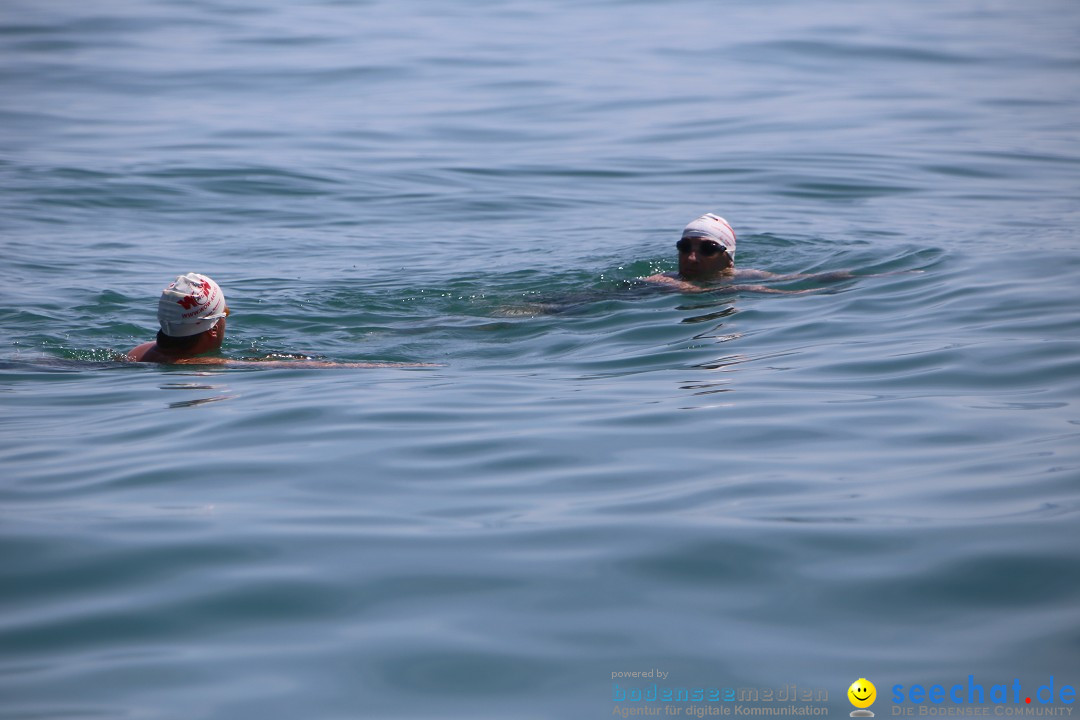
<point x="192" y="314"/>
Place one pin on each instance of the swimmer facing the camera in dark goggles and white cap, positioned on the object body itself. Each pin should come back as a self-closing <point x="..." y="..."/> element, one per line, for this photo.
<point x="707" y="254"/>
